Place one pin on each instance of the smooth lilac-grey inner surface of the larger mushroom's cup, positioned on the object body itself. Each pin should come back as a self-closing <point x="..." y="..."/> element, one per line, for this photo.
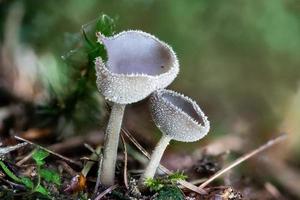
<point x="137" y="55"/>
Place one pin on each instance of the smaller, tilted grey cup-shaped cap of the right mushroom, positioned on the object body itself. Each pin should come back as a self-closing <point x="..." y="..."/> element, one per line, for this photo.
<point x="178" y="116"/>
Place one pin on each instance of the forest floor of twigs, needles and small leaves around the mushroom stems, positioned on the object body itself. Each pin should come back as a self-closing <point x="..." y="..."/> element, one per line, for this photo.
<point x="69" y="170"/>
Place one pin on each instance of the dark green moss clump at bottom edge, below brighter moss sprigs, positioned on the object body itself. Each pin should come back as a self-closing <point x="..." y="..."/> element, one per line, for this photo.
<point x="170" y="193"/>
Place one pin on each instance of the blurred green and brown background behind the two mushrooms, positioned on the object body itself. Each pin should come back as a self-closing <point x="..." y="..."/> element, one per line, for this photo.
<point x="240" y="60"/>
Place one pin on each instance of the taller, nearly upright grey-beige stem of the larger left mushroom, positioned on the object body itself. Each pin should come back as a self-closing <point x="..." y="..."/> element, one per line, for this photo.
<point x="111" y="144"/>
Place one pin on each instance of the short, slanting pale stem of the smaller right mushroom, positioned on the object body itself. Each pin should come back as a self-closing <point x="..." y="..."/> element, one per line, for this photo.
<point x="155" y="158"/>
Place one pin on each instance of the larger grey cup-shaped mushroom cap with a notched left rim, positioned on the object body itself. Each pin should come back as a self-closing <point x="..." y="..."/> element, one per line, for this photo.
<point x="138" y="64"/>
